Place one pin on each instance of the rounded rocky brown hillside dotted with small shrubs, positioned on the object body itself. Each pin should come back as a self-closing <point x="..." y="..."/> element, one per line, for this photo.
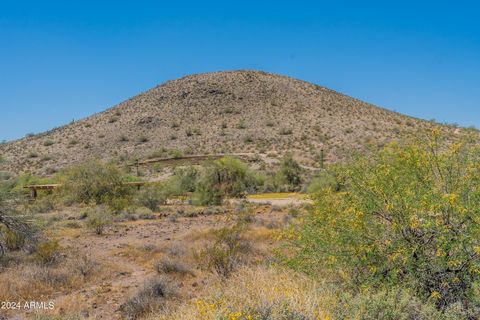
<point x="223" y="112"/>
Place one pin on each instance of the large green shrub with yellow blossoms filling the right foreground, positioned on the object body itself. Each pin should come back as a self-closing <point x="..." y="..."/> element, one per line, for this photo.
<point x="408" y="216"/>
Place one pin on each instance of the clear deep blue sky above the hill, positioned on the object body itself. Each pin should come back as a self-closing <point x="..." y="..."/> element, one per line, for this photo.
<point x="64" y="60"/>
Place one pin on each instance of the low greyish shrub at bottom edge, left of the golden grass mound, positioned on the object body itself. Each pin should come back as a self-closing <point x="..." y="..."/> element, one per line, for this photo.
<point x="149" y="299"/>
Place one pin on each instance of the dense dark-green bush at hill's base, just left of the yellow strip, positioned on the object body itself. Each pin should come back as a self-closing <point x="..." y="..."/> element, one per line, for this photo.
<point x="225" y="177"/>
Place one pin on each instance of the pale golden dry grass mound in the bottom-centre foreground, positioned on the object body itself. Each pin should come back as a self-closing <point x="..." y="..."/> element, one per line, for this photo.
<point x="255" y="291"/>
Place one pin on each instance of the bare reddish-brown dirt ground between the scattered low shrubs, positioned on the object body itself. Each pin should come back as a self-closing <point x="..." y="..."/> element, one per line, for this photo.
<point x="125" y="255"/>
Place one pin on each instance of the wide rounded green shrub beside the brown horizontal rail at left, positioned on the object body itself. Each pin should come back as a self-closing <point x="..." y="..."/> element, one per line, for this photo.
<point x="95" y="182"/>
